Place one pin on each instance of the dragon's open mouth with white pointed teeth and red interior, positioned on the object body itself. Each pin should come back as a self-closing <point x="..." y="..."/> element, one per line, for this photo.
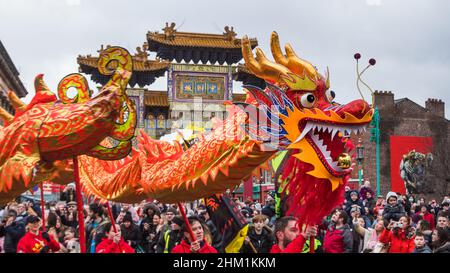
<point x="329" y="141"/>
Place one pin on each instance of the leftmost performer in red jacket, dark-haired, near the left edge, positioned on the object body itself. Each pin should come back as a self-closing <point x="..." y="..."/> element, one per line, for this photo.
<point x="36" y="241"/>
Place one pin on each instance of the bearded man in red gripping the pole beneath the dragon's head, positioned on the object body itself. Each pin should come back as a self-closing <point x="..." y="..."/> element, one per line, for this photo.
<point x="289" y="237"/>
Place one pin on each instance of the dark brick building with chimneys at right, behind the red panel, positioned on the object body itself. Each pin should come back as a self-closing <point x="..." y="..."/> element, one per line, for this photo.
<point x="405" y="118"/>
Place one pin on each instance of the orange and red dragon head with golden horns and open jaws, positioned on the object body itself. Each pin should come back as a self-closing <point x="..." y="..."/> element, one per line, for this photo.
<point x="311" y="123"/>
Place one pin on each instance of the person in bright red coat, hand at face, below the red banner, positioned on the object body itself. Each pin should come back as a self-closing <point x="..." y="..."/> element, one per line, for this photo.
<point x="399" y="236"/>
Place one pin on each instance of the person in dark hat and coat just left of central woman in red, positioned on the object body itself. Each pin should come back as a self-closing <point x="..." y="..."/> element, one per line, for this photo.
<point x="171" y="237"/>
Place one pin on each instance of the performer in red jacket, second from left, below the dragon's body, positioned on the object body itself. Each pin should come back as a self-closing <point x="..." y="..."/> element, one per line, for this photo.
<point x="113" y="242"/>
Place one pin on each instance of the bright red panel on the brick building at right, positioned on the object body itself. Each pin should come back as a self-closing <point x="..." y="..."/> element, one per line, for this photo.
<point x="401" y="145"/>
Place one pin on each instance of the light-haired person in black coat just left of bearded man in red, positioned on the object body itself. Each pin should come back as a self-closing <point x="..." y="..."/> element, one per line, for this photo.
<point x="259" y="237"/>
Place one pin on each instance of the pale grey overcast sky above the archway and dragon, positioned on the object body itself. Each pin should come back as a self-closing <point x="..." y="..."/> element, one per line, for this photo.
<point x="410" y="39"/>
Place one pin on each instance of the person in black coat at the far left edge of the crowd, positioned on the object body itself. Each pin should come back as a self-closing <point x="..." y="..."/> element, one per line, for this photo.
<point x="12" y="230"/>
